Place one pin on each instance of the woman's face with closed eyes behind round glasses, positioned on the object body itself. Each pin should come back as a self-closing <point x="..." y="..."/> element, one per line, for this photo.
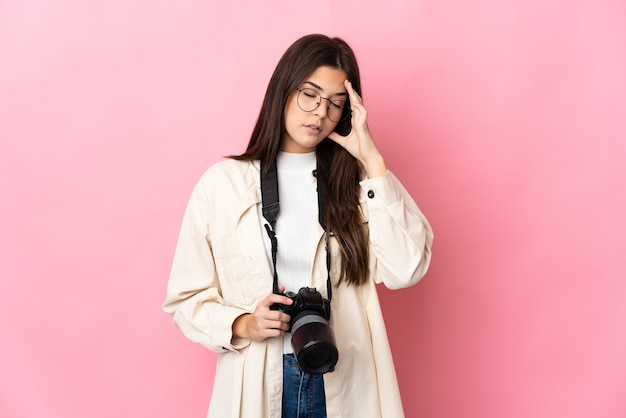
<point x="305" y="130"/>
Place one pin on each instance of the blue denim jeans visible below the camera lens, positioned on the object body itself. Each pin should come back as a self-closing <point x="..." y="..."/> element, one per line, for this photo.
<point x="303" y="394"/>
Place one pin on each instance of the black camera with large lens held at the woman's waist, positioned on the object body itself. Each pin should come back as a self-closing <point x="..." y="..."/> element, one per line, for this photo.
<point x="312" y="339"/>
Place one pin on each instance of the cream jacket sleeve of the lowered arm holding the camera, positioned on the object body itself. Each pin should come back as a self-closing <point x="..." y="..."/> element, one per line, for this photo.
<point x="193" y="293"/>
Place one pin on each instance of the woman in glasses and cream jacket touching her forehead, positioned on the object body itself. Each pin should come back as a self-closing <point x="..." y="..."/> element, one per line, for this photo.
<point x="228" y="279"/>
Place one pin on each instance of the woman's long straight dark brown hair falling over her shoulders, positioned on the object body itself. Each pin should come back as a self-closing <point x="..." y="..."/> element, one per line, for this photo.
<point x="341" y="169"/>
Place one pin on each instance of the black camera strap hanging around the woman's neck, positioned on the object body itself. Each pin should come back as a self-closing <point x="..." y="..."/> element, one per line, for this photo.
<point x="271" y="208"/>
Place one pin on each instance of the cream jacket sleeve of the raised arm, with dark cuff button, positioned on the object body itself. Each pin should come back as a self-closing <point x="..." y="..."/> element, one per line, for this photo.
<point x="400" y="236"/>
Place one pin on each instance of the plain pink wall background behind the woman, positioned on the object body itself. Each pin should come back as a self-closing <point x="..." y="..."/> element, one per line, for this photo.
<point x="504" y="118"/>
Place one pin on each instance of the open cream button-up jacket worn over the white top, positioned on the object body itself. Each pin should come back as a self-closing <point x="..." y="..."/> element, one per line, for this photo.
<point x="221" y="271"/>
